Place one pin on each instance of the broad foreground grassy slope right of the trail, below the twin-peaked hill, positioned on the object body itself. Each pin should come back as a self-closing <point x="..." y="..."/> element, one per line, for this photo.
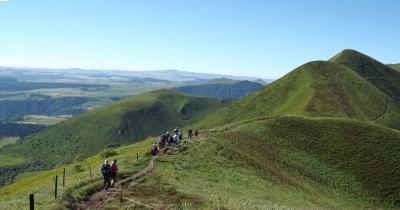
<point x="285" y="162"/>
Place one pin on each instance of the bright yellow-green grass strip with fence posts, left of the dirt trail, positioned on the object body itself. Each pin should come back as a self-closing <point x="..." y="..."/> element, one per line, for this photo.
<point x="77" y="184"/>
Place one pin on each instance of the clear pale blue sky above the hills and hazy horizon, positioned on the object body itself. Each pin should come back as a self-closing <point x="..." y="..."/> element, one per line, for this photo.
<point x="265" y="38"/>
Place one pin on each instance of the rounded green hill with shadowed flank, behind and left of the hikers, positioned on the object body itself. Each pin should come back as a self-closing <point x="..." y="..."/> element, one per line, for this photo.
<point x="113" y="125"/>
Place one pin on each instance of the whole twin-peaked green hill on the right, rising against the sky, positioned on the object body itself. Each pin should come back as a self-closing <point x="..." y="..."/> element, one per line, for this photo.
<point x="325" y="89"/>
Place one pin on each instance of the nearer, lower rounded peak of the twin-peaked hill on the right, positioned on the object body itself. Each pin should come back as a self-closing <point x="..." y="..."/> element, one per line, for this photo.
<point x="314" y="89"/>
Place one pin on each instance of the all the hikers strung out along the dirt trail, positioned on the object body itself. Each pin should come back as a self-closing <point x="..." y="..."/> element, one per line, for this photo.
<point x="109" y="171"/>
